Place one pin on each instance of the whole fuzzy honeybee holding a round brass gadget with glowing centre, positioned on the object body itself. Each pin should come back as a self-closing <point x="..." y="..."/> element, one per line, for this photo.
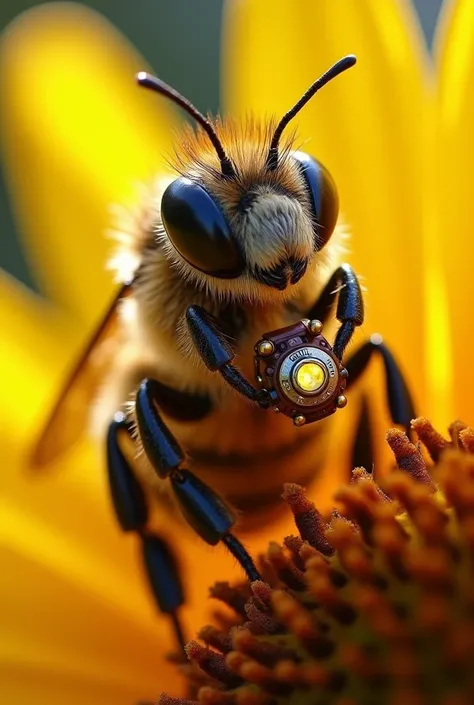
<point x="244" y="240"/>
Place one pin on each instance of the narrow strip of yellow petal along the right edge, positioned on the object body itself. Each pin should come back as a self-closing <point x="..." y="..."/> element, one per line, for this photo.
<point x="454" y="196"/>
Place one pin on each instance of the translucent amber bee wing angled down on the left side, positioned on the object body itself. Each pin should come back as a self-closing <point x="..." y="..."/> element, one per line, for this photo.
<point x="69" y="416"/>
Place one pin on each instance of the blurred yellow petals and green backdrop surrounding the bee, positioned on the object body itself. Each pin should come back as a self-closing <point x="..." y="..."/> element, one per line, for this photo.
<point x="76" y="134"/>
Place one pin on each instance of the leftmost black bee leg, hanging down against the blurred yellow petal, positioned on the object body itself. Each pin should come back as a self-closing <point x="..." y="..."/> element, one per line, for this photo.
<point x="131" y="510"/>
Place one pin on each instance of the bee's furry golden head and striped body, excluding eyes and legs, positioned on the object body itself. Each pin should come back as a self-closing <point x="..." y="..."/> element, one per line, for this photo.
<point x="236" y="443"/>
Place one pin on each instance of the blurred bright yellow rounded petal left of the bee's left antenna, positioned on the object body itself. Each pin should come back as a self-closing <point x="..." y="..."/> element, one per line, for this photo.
<point x="78" y="135"/>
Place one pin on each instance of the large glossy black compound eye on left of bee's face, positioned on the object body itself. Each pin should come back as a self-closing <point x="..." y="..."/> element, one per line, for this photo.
<point x="199" y="231"/>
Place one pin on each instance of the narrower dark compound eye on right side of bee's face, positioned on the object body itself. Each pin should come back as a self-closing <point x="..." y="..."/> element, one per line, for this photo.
<point x="323" y="196"/>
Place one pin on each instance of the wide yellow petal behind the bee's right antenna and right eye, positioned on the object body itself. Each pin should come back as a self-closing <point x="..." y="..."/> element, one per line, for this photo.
<point x="366" y="126"/>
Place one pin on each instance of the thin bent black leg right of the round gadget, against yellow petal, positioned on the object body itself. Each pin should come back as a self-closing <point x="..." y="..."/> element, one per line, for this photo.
<point x="399" y="398"/>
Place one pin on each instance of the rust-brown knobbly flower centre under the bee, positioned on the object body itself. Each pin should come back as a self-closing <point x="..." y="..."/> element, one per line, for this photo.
<point x="374" y="605"/>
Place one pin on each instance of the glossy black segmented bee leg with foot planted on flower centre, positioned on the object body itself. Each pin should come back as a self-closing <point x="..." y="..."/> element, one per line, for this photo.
<point x="204" y="511"/>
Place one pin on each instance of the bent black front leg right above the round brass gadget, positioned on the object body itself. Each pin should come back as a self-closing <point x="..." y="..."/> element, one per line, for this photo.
<point x="344" y="286"/>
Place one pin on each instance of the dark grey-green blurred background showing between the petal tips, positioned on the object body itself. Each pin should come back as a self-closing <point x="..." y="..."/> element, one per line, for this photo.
<point x="181" y="37"/>
